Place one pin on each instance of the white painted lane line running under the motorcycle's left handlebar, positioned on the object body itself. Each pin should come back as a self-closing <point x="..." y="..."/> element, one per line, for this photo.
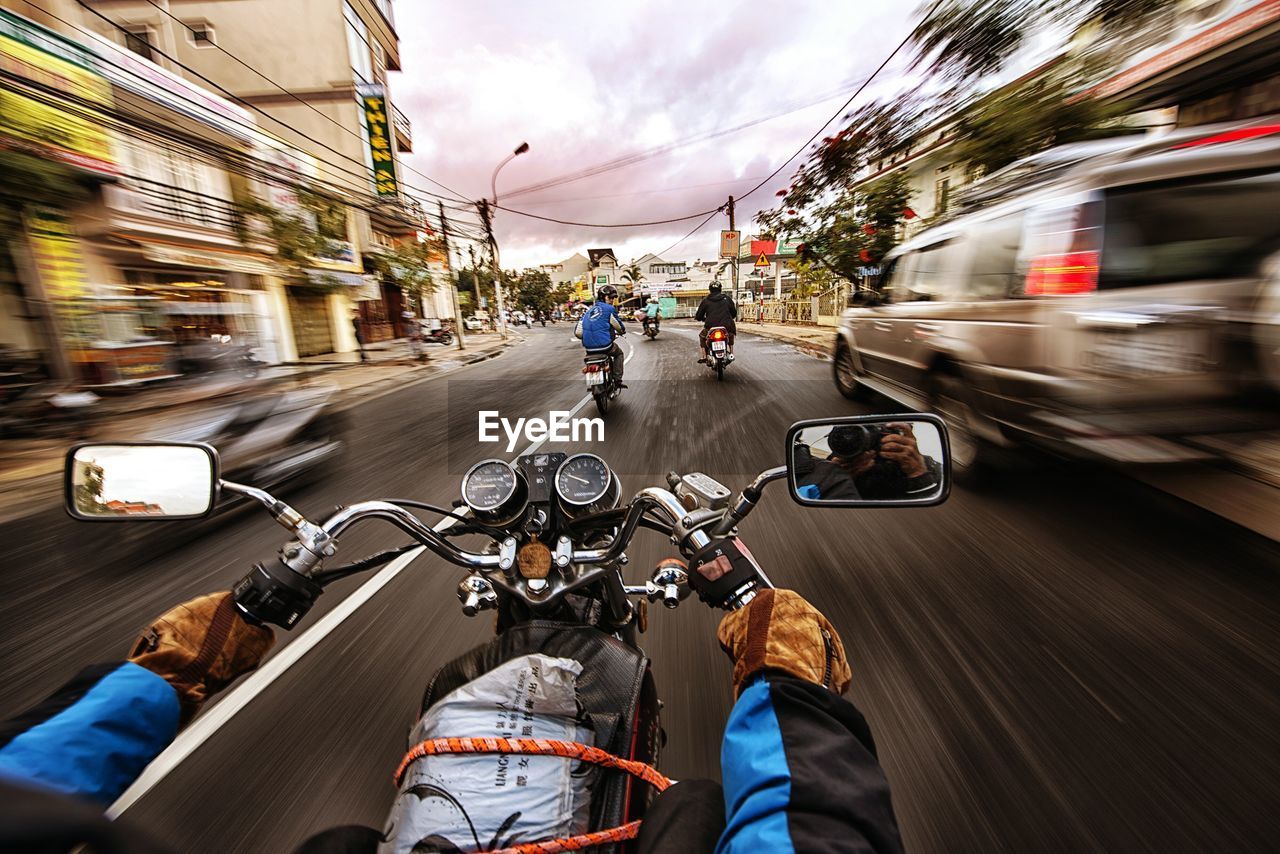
<point x="208" y="724"/>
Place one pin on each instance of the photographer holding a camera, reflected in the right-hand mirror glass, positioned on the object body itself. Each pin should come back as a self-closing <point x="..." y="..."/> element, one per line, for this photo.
<point x="866" y="463"/>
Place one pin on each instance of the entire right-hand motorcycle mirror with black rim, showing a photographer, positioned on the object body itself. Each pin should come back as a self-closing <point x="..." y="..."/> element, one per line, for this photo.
<point x="838" y="463"/>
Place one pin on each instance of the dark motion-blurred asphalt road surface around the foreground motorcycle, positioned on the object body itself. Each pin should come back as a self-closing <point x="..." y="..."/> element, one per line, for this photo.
<point x="1066" y="663"/>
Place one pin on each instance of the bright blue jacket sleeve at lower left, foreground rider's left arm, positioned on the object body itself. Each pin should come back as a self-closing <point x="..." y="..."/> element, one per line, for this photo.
<point x="95" y="736"/>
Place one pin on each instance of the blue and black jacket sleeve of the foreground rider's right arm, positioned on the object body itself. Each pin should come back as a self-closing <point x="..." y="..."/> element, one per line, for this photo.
<point x="801" y="774"/>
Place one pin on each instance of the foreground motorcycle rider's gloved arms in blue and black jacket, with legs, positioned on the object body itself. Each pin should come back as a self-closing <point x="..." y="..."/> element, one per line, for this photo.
<point x="798" y="761"/>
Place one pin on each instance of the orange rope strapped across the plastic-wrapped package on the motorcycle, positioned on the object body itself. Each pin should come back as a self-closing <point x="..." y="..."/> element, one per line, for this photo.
<point x="546" y="748"/>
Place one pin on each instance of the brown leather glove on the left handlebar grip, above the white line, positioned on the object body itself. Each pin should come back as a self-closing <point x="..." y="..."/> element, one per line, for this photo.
<point x="202" y="647"/>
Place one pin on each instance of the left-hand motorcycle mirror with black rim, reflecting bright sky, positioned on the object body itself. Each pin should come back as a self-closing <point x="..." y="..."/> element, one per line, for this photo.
<point x="130" y="482"/>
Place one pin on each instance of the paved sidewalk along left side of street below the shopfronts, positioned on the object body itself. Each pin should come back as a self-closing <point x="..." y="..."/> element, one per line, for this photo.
<point x="31" y="469"/>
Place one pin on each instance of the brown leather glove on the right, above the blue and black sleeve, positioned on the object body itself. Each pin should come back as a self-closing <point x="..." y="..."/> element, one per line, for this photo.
<point x="779" y="631"/>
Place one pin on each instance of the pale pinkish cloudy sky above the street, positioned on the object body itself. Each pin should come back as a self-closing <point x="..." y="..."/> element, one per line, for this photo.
<point x="587" y="83"/>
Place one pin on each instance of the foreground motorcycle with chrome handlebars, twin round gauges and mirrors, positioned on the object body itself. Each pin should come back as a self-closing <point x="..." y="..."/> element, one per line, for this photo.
<point x="543" y="541"/>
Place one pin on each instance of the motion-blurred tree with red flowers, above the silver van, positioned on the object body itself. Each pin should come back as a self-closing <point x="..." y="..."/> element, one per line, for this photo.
<point x="848" y="223"/>
